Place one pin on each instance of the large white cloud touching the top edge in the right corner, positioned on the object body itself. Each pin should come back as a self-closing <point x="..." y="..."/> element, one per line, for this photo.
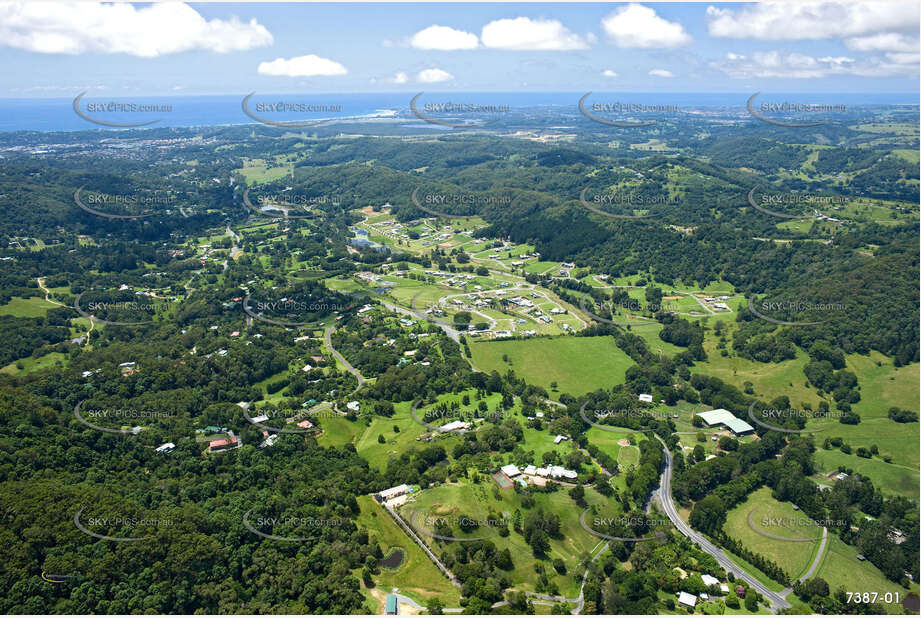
<point x="813" y="21"/>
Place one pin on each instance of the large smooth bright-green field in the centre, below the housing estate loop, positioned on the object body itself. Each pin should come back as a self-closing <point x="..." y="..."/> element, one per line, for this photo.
<point x="577" y="364"/>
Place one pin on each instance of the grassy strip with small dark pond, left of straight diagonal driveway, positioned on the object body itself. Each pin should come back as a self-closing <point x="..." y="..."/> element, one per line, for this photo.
<point x="418" y="577"/>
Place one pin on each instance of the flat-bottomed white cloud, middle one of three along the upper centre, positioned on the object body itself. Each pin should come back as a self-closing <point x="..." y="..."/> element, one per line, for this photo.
<point x="524" y="33"/>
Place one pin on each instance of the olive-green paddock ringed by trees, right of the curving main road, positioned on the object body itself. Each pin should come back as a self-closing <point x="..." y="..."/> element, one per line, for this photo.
<point x="793" y="557"/>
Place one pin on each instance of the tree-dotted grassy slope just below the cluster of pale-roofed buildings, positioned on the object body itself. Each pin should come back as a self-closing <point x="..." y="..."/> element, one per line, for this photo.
<point x="477" y="501"/>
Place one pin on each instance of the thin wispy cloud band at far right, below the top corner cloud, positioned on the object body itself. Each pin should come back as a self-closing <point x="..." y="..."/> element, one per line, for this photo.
<point x="773" y="64"/>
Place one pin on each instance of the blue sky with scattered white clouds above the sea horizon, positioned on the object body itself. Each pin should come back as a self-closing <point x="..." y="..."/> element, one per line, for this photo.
<point x="51" y="49"/>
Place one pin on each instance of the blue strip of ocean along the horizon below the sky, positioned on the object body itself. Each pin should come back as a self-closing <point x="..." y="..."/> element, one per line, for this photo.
<point x="189" y="111"/>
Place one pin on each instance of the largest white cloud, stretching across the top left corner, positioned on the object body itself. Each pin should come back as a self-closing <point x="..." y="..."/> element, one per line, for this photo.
<point x="148" y="32"/>
